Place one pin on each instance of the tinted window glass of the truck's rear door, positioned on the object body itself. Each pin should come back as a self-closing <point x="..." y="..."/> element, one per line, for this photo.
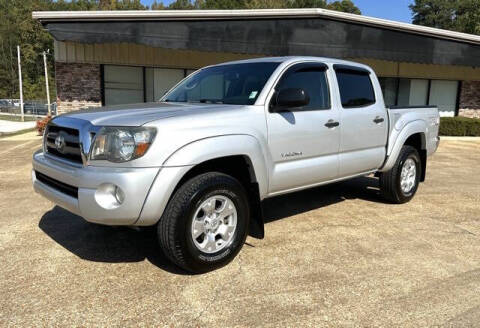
<point x="356" y="89"/>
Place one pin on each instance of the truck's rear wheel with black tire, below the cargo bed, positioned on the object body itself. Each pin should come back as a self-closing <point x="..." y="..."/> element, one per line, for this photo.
<point x="400" y="183"/>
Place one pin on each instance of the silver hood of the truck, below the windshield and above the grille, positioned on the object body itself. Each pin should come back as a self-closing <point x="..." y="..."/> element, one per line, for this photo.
<point x="142" y="113"/>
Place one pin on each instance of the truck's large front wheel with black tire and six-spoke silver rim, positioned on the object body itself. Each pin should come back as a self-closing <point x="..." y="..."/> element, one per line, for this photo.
<point x="205" y="223"/>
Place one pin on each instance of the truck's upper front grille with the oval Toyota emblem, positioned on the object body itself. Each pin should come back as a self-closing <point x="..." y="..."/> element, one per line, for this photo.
<point x="69" y="149"/>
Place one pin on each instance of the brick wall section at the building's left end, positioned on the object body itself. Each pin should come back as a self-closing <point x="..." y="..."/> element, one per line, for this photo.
<point x="78" y="86"/>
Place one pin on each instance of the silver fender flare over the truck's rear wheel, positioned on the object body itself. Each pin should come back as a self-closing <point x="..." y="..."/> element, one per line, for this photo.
<point x="417" y="126"/>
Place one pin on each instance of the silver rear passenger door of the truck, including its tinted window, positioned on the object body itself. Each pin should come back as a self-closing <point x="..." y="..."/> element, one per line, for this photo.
<point x="364" y="121"/>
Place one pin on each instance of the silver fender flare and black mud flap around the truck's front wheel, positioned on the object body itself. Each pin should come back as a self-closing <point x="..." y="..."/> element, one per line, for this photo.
<point x="240" y="156"/>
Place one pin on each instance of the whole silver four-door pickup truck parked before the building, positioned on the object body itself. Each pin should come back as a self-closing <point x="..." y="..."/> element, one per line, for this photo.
<point x="198" y="163"/>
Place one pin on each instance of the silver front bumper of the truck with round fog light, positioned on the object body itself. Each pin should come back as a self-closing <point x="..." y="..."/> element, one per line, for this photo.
<point x="134" y="182"/>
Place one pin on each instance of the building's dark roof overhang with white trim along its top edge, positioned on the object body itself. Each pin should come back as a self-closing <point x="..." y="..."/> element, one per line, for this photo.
<point x="316" y="32"/>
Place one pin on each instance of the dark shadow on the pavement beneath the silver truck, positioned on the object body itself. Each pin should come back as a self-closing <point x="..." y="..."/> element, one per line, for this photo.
<point x="99" y="243"/>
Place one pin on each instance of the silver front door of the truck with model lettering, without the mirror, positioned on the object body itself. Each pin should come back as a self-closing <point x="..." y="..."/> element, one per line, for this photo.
<point x="304" y="141"/>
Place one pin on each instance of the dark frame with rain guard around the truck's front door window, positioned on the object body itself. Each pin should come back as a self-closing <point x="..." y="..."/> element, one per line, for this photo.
<point x="314" y="66"/>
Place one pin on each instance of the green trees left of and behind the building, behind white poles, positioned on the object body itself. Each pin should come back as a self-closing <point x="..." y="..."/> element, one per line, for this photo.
<point x="18" y="28"/>
